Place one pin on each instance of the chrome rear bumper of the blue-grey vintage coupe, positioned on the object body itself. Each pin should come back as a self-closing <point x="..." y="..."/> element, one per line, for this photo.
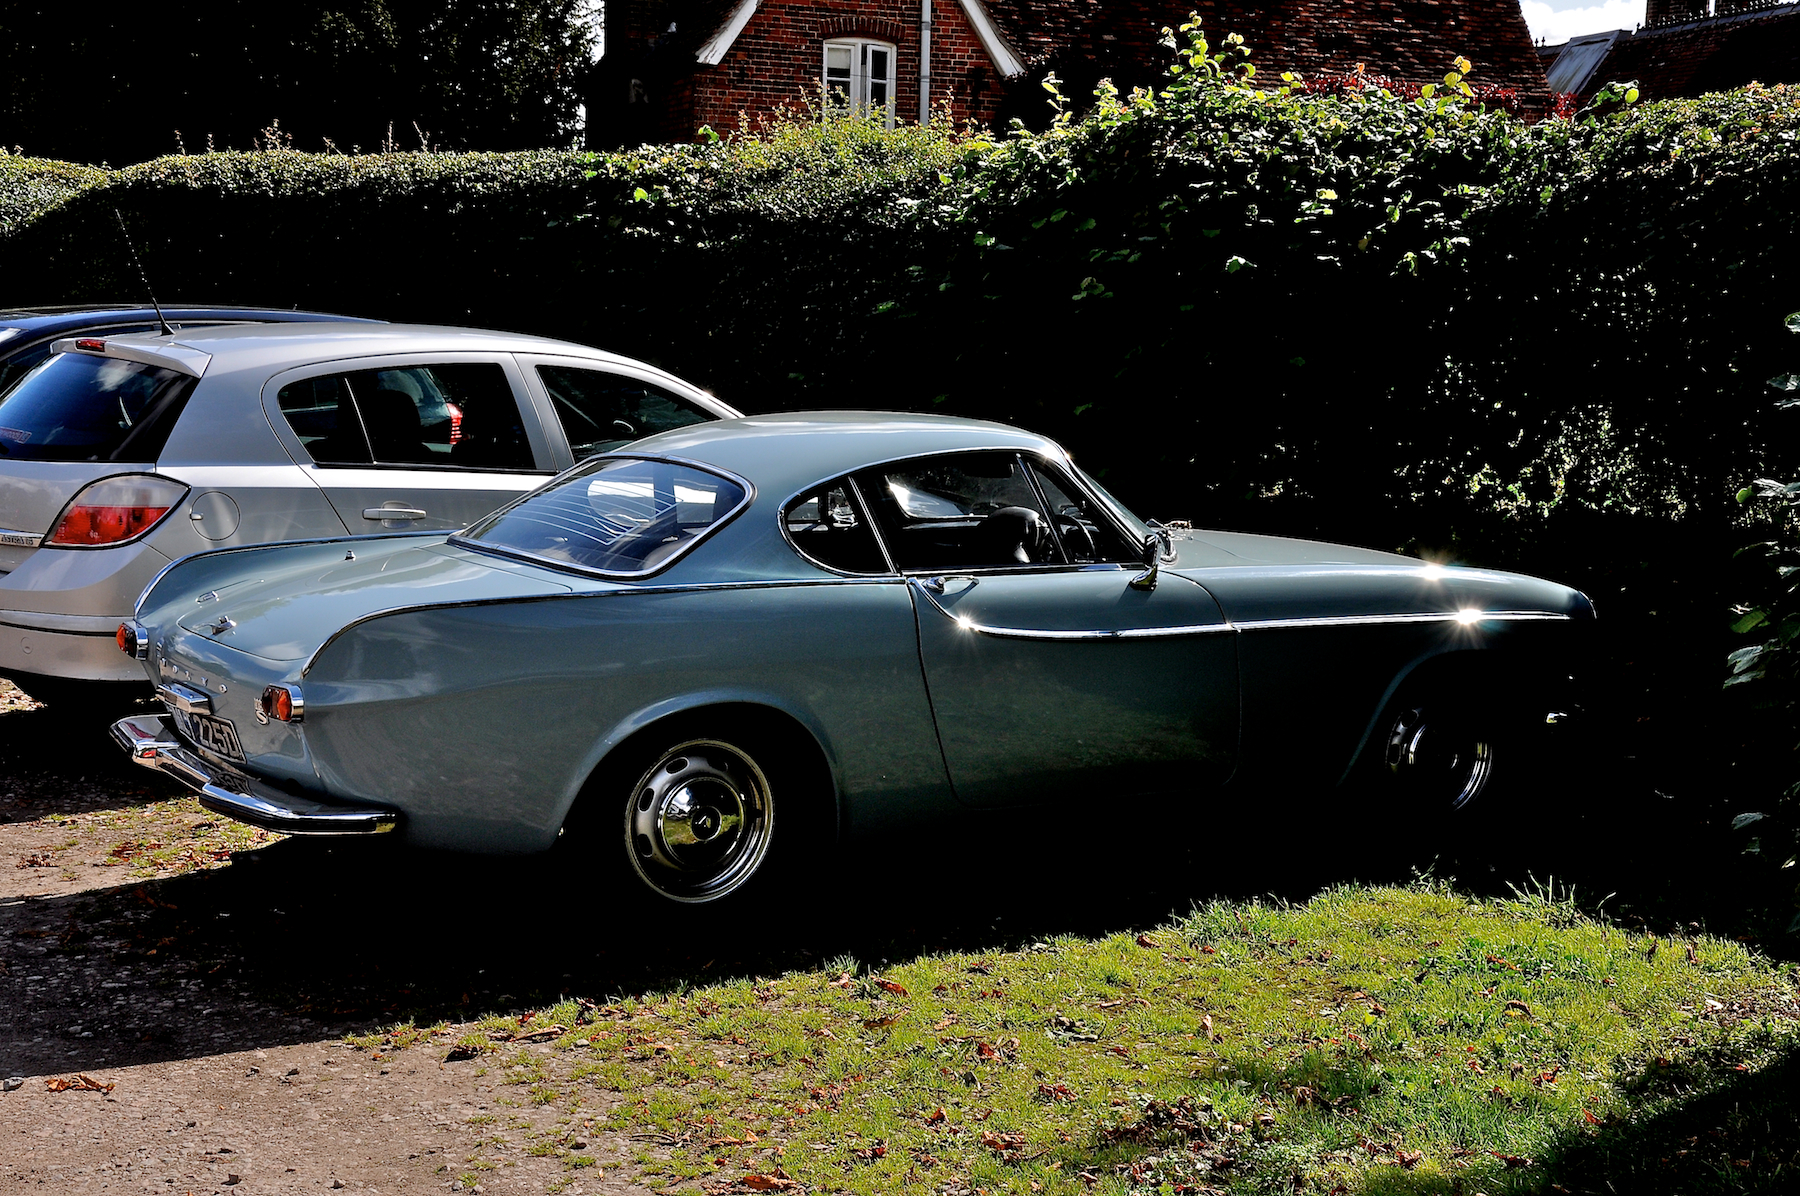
<point x="152" y="741"/>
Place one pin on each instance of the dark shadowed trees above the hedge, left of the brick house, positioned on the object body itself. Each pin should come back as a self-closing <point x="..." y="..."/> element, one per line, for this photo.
<point x="471" y="75"/>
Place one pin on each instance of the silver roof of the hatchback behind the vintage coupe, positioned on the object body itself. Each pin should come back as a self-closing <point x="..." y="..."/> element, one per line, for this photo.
<point x="283" y="347"/>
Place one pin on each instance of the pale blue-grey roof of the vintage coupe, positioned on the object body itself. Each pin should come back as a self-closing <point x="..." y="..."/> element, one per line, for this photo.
<point x="791" y="451"/>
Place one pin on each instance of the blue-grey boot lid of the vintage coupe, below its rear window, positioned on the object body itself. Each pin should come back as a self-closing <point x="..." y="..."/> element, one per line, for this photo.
<point x="283" y="603"/>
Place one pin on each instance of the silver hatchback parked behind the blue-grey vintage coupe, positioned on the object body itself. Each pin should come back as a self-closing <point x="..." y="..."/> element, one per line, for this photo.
<point x="120" y="455"/>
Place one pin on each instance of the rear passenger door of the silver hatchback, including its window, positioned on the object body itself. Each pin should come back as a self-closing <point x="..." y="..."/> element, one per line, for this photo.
<point x="424" y="442"/>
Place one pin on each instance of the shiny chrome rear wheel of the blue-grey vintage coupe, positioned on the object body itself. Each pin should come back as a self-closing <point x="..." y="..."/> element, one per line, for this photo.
<point x="699" y="822"/>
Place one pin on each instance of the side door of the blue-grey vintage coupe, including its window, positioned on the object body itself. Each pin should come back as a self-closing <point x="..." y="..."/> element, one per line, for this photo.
<point x="1054" y="676"/>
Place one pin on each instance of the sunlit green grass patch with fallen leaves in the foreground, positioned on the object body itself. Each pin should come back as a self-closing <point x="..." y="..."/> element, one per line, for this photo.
<point x="1372" y="1040"/>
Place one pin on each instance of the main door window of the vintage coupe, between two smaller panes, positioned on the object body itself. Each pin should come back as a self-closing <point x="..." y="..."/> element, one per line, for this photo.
<point x="973" y="511"/>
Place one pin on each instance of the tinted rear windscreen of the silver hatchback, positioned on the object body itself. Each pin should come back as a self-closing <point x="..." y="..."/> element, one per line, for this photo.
<point x="85" y="408"/>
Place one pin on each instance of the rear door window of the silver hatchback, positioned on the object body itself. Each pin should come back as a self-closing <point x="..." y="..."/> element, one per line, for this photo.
<point x="454" y="415"/>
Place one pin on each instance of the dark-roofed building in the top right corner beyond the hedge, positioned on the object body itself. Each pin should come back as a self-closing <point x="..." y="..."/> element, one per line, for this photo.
<point x="1686" y="48"/>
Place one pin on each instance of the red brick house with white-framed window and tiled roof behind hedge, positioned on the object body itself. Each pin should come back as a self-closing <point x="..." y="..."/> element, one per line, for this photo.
<point x="674" y="66"/>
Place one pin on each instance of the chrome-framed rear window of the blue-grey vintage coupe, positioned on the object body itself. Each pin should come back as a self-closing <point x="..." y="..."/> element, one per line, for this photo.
<point x="615" y="516"/>
